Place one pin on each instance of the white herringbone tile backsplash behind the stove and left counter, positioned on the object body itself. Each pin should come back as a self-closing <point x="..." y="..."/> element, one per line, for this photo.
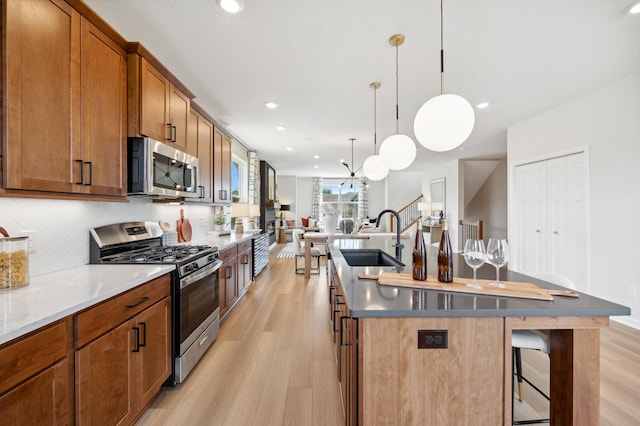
<point x="59" y="229"/>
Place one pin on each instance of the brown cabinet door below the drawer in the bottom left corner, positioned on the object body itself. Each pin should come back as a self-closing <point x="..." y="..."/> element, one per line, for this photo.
<point x="40" y="400"/>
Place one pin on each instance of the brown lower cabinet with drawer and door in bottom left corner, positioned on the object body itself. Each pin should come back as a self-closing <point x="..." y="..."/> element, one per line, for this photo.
<point x="36" y="382"/>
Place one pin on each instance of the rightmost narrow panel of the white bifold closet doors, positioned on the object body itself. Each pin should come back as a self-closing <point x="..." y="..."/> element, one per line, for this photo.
<point x="576" y="226"/>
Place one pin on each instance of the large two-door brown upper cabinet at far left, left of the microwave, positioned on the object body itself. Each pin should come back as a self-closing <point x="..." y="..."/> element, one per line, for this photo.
<point x="66" y="101"/>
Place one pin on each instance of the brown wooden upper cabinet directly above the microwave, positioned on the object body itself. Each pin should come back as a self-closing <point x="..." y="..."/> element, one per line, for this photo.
<point x="159" y="106"/>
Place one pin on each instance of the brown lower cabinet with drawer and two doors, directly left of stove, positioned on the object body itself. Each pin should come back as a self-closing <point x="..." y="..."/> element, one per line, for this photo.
<point x="122" y="370"/>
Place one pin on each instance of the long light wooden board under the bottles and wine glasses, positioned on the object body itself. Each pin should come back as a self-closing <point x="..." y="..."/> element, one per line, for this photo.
<point x="513" y="289"/>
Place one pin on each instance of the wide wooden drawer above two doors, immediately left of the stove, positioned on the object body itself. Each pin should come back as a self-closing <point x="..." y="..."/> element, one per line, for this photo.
<point x="101" y="318"/>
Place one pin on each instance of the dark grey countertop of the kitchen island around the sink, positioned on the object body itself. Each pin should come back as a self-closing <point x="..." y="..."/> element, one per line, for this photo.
<point x="366" y="298"/>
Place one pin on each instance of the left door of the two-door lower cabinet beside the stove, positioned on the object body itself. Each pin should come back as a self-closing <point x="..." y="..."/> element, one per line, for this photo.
<point x="105" y="378"/>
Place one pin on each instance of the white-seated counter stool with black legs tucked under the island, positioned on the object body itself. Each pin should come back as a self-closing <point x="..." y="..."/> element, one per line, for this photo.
<point x="538" y="340"/>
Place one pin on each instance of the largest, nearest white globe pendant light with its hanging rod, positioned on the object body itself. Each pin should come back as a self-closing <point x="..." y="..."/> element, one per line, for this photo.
<point x="445" y="121"/>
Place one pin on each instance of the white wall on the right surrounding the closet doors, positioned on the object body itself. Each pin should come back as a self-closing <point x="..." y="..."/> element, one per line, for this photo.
<point x="606" y="123"/>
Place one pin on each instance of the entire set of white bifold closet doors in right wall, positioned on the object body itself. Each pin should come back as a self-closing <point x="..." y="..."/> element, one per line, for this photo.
<point x="551" y="226"/>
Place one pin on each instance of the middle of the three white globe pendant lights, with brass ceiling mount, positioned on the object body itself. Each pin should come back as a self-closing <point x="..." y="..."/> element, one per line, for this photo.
<point x="397" y="151"/>
